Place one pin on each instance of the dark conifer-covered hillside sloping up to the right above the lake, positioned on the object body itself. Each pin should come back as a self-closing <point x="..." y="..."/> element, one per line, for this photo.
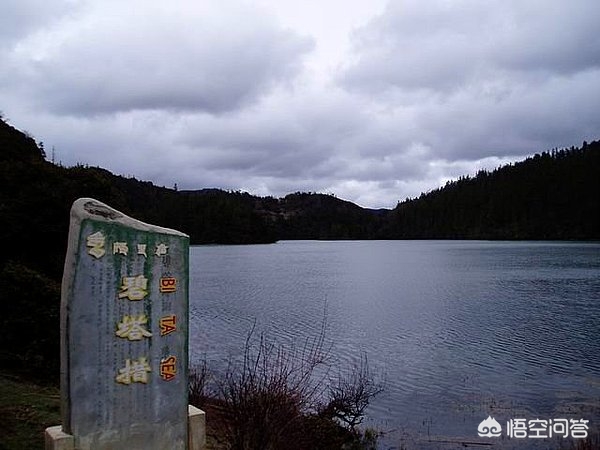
<point x="553" y="195"/>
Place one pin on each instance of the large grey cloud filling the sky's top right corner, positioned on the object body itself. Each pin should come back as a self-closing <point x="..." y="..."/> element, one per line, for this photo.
<point x="446" y="46"/>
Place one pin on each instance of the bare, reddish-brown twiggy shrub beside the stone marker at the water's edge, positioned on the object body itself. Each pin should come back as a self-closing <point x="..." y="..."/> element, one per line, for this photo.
<point x="284" y="398"/>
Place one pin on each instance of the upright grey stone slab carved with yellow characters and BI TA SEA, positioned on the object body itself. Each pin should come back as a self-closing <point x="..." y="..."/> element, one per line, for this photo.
<point x="124" y="330"/>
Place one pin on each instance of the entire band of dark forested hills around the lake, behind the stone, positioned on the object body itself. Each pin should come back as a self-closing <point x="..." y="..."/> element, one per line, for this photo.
<point x="551" y="196"/>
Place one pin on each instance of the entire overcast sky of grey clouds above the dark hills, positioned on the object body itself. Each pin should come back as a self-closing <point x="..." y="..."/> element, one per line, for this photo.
<point x="372" y="101"/>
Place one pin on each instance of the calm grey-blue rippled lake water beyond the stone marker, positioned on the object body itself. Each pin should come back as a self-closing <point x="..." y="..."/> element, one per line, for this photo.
<point x="460" y="329"/>
